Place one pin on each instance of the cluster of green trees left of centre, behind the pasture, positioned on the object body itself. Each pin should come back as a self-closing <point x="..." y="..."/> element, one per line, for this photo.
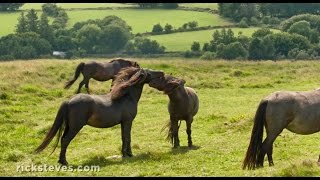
<point x="34" y="37"/>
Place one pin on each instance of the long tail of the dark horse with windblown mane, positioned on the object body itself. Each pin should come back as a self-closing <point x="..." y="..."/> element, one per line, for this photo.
<point x="57" y="125"/>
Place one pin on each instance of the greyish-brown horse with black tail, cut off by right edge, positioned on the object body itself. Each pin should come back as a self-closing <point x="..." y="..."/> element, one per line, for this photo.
<point x="299" y="112"/>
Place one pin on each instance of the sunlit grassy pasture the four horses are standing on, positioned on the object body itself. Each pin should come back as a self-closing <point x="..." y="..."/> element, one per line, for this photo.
<point x="229" y="92"/>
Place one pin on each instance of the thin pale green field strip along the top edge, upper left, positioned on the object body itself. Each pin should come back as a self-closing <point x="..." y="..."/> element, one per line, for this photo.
<point x="37" y="6"/>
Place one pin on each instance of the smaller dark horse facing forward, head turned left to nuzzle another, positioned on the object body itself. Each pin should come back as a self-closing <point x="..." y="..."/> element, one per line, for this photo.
<point x="183" y="105"/>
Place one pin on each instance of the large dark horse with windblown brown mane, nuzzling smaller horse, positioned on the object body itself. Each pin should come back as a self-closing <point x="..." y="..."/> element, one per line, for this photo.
<point x="101" y="111"/>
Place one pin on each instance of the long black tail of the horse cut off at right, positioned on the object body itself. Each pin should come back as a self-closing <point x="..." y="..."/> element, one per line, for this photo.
<point x="255" y="145"/>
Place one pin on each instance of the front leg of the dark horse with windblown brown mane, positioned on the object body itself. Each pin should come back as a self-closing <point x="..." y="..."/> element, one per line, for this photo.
<point x="126" y="138"/>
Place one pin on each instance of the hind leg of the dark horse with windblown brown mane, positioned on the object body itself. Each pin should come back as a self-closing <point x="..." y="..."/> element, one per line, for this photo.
<point x="68" y="135"/>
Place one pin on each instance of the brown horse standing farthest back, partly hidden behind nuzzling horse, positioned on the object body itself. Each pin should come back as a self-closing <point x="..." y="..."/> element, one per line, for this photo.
<point x="100" y="71"/>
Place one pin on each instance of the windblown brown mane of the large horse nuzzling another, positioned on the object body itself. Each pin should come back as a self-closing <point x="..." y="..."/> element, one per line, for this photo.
<point x="126" y="77"/>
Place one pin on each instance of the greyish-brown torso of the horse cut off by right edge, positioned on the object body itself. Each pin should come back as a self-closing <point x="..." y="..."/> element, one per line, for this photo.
<point x="298" y="110"/>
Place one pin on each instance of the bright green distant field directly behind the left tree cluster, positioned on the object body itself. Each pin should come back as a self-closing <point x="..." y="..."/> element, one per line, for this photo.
<point x="140" y="20"/>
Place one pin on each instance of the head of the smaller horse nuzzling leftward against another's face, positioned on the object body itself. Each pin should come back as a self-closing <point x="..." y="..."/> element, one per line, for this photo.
<point x="166" y="83"/>
